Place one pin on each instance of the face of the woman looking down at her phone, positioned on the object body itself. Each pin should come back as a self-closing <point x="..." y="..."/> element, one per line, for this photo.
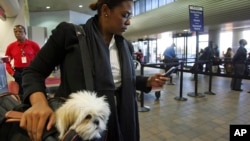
<point x="119" y="17"/>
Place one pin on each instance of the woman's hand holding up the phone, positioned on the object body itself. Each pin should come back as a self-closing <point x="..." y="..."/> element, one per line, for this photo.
<point x="157" y="80"/>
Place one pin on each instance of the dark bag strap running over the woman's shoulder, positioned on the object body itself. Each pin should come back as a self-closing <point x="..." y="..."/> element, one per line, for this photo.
<point x="86" y="57"/>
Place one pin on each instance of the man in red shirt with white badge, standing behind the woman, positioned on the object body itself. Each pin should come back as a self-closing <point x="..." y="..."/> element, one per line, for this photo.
<point x="22" y="52"/>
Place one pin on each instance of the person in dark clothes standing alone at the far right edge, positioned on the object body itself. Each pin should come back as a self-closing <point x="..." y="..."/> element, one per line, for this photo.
<point x="239" y="66"/>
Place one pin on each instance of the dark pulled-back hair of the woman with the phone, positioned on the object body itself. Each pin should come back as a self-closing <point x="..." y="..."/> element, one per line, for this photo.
<point x="111" y="4"/>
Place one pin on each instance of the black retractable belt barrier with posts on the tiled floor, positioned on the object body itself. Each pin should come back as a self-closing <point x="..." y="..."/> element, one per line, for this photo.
<point x="181" y="67"/>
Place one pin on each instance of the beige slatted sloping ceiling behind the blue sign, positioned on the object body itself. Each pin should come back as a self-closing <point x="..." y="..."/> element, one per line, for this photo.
<point x="218" y="14"/>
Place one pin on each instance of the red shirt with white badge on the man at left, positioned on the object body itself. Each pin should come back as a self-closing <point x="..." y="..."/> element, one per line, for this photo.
<point x="21" y="53"/>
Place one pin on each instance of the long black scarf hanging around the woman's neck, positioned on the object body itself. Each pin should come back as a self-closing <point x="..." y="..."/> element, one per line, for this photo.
<point x="123" y="122"/>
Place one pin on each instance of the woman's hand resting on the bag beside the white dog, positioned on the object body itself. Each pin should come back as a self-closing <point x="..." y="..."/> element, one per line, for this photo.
<point x="37" y="117"/>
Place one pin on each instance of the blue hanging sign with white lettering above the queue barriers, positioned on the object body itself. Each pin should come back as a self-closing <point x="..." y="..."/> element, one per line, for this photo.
<point x="196" y="18"/>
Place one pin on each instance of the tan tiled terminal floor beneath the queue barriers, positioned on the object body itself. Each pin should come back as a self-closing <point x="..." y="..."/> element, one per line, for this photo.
<point x="199" y="118"/>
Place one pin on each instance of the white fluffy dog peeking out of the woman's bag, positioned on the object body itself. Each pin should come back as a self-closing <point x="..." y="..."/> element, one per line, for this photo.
<point x="85" y="113"/>
